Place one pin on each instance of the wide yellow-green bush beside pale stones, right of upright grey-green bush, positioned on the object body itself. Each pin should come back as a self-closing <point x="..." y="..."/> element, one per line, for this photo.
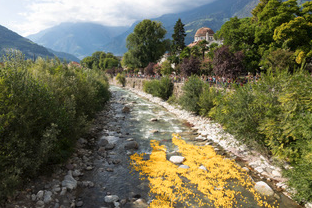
<point x="240" y="115"/>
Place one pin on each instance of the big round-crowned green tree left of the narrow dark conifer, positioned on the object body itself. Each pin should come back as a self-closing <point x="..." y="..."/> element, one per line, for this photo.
<point x="146" y="44"/>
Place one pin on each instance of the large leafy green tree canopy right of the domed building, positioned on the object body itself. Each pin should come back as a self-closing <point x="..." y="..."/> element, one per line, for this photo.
<point x="275" y="24"/>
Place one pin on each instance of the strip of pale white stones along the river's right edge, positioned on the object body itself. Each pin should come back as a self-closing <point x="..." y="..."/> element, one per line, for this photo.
<point x="210" y="131"/>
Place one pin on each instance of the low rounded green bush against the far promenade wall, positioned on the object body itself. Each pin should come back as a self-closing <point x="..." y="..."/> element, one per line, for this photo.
<point x="162" y="88"/>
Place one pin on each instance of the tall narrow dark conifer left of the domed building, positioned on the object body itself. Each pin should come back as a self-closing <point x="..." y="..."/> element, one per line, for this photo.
<point x="178" y="37"/>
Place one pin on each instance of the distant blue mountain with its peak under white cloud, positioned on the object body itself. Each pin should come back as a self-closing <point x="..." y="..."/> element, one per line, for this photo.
<point x="80" y="39"/>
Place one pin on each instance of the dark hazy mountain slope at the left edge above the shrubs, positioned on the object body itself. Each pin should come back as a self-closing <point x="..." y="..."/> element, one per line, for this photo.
<point x="10" y="40"/>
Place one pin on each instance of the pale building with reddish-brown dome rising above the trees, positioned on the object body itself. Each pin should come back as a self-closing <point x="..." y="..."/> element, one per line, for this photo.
<point x="204" y="33"/>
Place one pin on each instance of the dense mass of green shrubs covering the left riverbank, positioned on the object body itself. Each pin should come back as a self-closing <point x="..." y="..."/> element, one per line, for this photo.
<point x="44" y="107"/>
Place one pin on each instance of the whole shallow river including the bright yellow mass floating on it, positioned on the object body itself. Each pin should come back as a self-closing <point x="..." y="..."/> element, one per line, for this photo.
<point x="135" y="122"/>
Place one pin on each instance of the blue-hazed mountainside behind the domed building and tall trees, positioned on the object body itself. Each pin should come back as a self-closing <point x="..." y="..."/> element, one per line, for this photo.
<point x="212" y="15"/>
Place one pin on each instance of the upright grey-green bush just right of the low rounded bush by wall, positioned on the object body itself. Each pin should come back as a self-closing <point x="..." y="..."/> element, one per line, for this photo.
<point x="192" y="90"/>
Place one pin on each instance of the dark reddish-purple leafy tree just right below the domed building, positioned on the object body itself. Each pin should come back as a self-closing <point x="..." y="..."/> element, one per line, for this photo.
<point x="227" y="64"/>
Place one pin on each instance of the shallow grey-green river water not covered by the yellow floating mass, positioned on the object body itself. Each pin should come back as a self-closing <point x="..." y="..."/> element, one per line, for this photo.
<point x="114" y="175"/>
